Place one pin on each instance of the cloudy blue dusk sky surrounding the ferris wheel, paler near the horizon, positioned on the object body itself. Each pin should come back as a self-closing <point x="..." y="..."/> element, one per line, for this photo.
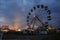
<point x="11" y="10"/>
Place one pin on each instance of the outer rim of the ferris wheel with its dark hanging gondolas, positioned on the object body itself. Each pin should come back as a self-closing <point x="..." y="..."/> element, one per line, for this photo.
<point x="43" y="7"/>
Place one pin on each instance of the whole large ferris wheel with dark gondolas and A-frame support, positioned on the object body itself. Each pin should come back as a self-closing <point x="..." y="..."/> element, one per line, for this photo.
<point x="38" y="16"/>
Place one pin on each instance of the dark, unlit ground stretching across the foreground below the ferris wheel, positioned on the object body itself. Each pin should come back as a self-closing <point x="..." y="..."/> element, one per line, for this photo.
<point x="19" y="36"/>
